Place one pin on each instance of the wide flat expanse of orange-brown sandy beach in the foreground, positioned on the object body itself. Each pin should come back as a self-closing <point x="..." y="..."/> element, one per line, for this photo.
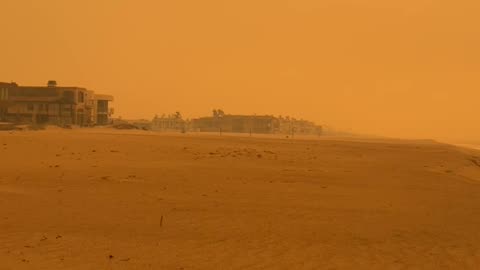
<point x="104" y="199"/>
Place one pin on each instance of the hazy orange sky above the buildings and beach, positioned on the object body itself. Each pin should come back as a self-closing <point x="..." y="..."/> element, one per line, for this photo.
<point x="398" y="68"/>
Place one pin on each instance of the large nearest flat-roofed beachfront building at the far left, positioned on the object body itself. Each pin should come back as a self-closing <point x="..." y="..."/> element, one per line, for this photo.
<point x="53" y="105"/>
